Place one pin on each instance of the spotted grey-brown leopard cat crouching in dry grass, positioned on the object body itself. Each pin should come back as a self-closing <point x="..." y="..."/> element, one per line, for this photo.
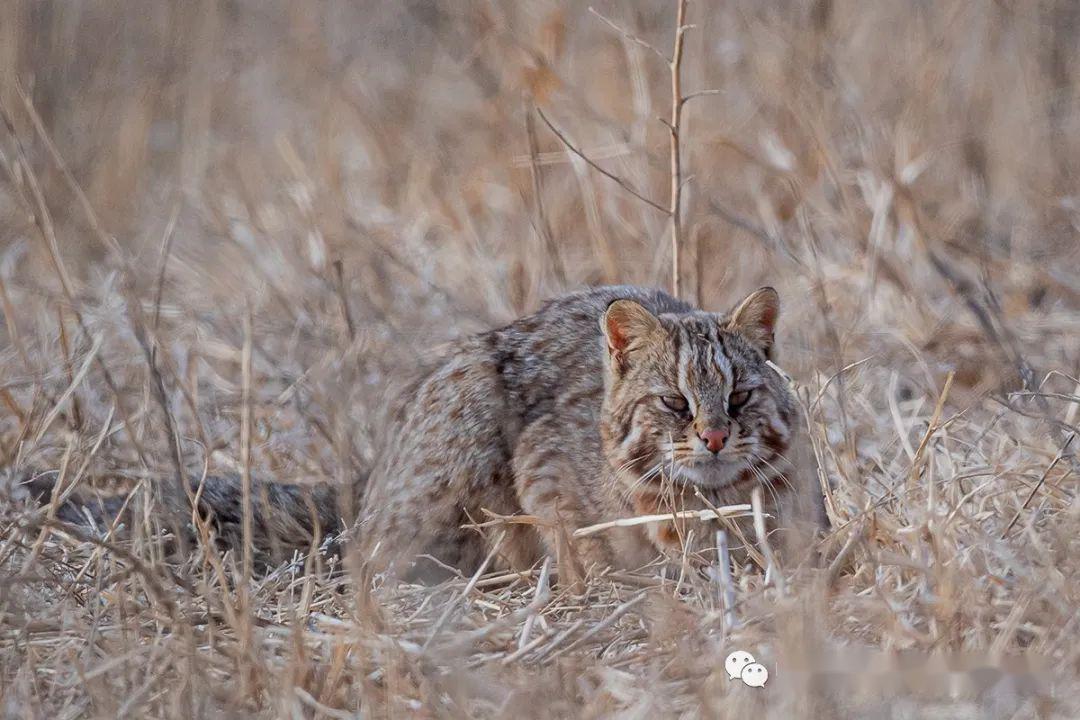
<point x="607" y="403"/>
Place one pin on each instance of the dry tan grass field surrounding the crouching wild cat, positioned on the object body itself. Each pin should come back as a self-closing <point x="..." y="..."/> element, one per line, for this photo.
<point x="267" y="211"/>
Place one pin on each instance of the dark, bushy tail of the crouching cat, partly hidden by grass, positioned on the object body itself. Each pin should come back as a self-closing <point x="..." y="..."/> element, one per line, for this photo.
<point x="286" y="519"/>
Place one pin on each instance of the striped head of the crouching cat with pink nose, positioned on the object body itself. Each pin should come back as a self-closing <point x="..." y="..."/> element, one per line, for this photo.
<point x="692" y="398"/>
